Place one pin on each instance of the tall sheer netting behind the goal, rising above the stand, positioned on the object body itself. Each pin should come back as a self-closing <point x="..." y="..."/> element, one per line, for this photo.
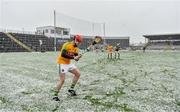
<point x="79" y="26"/>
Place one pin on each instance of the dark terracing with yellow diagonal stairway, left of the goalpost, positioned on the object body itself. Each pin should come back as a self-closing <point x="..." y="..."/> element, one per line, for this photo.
<point x="8" y="44"/>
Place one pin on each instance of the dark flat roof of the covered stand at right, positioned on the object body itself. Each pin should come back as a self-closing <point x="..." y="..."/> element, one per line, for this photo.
<point x="163" y="36"/>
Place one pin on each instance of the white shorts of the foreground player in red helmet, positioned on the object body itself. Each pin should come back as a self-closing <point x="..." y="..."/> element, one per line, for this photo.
<point x="64" y="68"/>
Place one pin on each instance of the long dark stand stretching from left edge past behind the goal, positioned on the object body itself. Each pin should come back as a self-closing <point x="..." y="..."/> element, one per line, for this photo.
<point x="20" y="42"/>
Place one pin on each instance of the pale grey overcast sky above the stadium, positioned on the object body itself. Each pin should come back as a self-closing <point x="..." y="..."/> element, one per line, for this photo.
<point x="133" y="18"/>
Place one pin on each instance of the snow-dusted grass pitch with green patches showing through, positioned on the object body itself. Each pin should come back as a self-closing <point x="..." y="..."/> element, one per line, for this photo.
<point x="137" y="82"/>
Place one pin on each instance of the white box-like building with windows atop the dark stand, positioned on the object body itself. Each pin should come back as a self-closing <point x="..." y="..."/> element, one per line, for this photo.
<point x="51" y="31"/>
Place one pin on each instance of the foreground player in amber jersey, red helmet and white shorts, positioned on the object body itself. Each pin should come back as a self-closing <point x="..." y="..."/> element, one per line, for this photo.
<point x="68" y="52"/>
